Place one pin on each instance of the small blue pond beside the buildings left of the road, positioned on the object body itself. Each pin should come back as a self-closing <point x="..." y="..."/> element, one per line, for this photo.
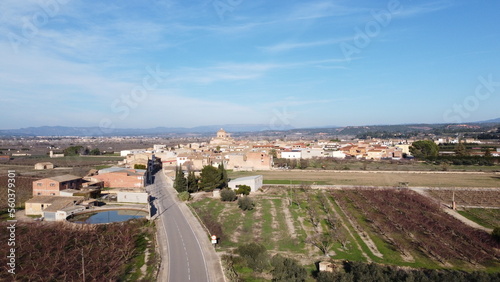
<point x="107" y="216"/>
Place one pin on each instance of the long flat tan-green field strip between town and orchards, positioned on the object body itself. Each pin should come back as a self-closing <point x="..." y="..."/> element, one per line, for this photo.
<point x="367" y="178"/>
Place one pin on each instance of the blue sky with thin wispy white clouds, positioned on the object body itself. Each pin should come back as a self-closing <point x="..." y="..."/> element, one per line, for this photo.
<point x="140" y="64"/>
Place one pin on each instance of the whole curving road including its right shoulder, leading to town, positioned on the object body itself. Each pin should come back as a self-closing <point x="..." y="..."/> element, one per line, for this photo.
<point x="185" y="249"/>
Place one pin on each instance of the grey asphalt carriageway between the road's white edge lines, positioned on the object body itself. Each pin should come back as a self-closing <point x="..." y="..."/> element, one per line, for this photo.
<point x="186" y="259"/>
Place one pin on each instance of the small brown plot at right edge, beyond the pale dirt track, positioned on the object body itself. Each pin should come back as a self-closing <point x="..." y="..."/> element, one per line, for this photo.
<point x="468" y="198"/>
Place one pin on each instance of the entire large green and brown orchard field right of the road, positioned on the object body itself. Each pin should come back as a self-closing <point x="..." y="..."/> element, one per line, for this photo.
<point x="351" y="225"/>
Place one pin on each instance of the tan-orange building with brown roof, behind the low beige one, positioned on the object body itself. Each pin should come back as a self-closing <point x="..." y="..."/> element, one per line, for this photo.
<point x="53" y="185"/>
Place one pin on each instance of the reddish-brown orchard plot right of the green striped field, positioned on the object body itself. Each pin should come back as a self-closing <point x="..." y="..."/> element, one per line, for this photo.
<point x="415" y="227"/>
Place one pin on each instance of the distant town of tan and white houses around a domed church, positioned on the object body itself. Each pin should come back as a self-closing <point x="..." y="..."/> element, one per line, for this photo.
<point x="243" y="155"/>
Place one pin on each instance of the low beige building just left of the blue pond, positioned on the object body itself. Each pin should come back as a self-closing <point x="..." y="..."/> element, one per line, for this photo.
<point x="38" y="204"/>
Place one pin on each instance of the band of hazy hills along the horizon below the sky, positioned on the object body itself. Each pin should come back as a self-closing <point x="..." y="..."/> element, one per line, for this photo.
<point x="380" y="131"/>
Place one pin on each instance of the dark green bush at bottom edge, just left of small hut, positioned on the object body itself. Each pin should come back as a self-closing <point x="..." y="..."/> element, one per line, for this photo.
<point x="287" y="270"/>
